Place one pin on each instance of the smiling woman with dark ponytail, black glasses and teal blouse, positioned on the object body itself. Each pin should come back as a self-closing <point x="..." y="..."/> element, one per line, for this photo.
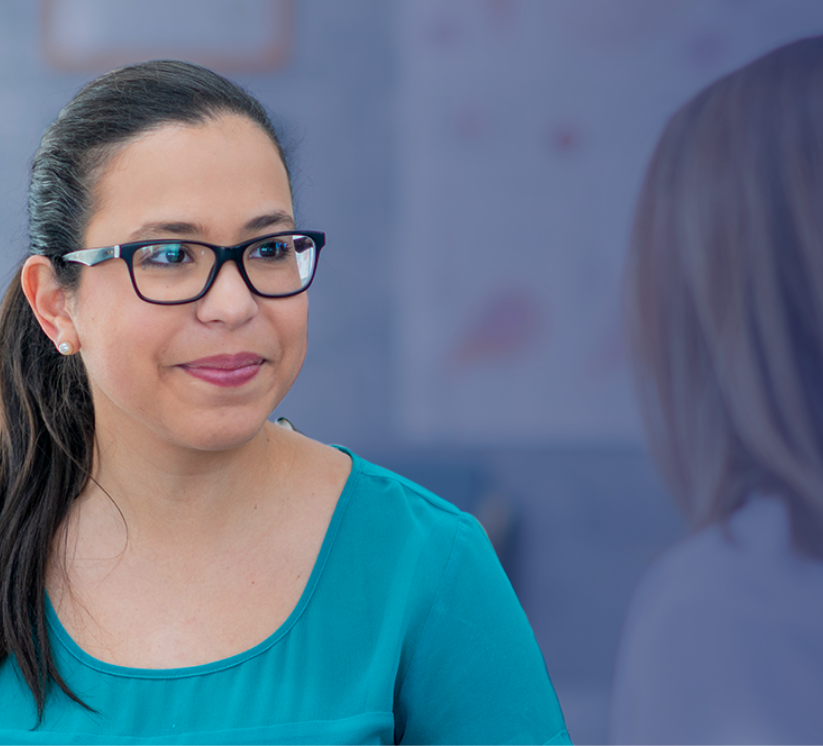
<point x="172" y="565"/>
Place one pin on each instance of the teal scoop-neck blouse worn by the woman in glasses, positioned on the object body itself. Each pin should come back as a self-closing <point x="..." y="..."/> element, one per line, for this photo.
<point x="408" y="632"/>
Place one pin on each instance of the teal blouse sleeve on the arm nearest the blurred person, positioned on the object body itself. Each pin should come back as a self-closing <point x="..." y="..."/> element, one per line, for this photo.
<point x="477" y="675"/>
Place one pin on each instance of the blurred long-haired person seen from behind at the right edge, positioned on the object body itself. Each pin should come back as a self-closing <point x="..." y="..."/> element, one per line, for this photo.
<point x="722" y="644"/>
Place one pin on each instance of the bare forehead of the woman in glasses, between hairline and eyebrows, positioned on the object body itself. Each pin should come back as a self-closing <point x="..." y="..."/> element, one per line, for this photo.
<point x="217" y="175"/>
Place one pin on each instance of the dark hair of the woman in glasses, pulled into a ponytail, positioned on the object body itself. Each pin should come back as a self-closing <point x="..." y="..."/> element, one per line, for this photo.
<point x="46" y="408"/>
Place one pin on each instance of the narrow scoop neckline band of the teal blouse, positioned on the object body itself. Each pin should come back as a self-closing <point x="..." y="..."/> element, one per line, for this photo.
<point x="75" y="651"/>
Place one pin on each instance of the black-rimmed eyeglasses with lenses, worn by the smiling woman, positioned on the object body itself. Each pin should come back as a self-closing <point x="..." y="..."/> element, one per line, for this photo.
<point x="170" y="271"/>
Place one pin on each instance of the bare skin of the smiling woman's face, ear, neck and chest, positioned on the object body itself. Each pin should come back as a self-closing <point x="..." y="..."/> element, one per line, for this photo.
<point x="203" y="523"/>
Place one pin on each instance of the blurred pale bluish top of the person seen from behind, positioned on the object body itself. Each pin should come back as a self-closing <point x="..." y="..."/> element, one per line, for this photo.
<point x="717" y="627"/>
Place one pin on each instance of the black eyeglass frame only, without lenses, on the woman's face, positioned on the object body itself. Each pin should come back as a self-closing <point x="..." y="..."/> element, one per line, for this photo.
<point x="223" y="254"/>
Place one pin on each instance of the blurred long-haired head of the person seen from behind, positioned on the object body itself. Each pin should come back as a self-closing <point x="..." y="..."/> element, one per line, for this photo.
<point x="725" y="292"/>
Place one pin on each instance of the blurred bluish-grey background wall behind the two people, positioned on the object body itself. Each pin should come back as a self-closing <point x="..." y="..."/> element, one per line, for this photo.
<point x="474" y="164"/>
